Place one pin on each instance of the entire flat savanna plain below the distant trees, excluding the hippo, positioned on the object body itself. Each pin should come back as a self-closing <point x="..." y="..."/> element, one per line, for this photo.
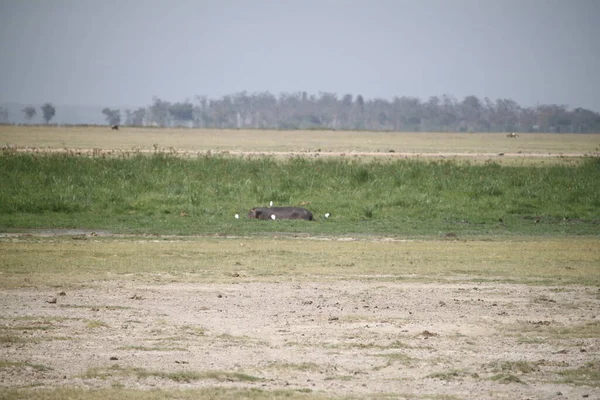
<point x="452" y="266"/>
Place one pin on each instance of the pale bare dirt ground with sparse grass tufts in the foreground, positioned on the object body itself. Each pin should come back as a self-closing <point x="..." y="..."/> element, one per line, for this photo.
<point x="340" y="337"/>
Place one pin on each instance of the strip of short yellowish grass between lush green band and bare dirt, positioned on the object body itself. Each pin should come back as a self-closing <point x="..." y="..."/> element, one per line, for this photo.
<point x="49" y="261"/>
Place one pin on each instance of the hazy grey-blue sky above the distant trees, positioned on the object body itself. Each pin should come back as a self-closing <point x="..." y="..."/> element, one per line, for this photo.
<point x="124" y="52"/>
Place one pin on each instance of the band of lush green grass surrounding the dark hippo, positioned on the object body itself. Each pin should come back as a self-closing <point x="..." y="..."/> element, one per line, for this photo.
<point x="162" y="193"/>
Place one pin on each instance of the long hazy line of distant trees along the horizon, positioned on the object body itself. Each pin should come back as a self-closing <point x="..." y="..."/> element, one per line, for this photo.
<point x="328" y="111"/>
